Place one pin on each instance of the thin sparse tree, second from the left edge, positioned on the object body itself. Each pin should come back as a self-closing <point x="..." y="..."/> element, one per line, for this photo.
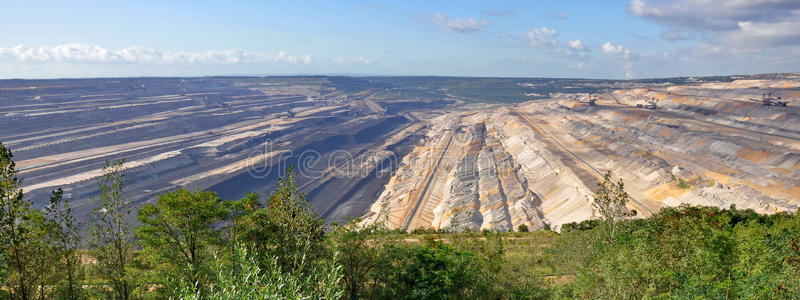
<point x="65" y="239"/>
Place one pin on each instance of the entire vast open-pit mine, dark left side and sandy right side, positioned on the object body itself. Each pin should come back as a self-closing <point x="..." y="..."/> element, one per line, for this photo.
<point x="417" y="152"/>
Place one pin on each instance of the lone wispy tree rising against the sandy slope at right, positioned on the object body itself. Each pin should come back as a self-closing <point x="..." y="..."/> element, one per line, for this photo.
<point x="610" y="200"/>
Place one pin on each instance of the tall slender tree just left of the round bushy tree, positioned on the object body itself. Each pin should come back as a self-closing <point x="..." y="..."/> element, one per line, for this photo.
<point x="110" y="233"/>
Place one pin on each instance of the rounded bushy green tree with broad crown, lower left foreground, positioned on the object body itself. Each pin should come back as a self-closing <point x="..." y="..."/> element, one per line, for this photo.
<point x="176" y="234"/>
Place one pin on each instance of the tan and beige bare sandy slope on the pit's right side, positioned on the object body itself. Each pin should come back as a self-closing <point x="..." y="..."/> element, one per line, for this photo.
<point x="539" y="162"/>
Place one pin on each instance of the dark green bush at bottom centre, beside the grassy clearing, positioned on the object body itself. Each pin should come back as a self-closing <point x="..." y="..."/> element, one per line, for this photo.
<point x="462" y="266"/>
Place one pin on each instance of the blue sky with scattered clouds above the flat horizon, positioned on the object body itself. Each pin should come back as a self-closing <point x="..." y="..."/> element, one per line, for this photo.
<point x="591" y="39"/>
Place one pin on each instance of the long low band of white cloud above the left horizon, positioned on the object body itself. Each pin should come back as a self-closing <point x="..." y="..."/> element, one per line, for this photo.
<point x="82" y="53"/>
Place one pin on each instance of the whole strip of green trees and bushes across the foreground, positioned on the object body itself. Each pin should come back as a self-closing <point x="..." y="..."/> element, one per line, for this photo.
<point x="193" y="245"/>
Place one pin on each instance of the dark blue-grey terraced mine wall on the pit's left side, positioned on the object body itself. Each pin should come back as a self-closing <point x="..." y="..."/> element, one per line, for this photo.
<point x="231" y="136"/>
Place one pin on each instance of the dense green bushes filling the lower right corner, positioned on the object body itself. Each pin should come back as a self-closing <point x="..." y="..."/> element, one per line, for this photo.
<point x="687" y="252"/>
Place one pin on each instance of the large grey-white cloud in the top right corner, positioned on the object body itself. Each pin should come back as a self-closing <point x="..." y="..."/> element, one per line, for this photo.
<point x="740" y="23"/>
